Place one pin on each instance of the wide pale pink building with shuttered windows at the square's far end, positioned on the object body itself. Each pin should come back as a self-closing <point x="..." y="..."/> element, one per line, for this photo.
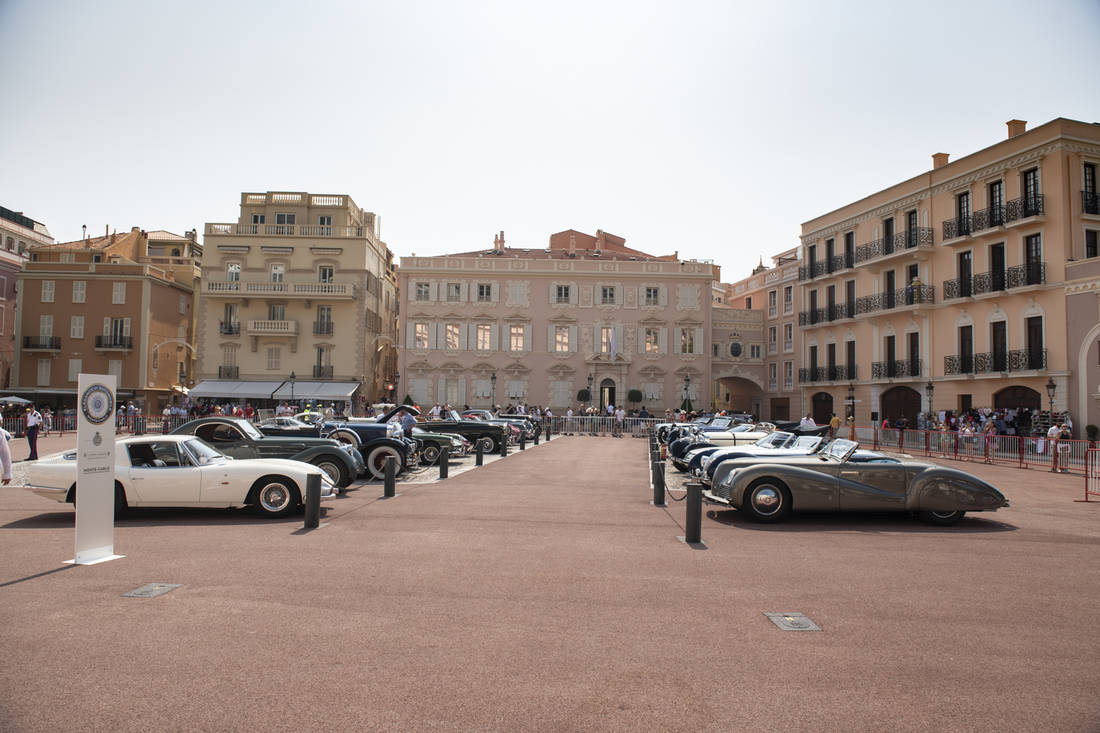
<point x="533" y="325"/>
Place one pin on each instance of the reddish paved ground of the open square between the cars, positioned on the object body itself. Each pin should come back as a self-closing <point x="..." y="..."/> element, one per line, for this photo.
<point x="544" y="593"/>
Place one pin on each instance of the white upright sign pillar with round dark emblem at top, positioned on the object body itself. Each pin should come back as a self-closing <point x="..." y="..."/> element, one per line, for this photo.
<point x="95" y="469"/>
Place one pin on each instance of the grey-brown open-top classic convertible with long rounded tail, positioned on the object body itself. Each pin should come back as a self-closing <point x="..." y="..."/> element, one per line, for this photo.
<point x="769" y="489"/>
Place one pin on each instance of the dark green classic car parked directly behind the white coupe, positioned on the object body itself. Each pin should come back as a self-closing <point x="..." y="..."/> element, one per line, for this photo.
<point x="238" y="437"/>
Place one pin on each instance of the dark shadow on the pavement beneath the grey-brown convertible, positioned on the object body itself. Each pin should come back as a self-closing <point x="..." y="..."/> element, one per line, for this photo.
<point x="857" y="522"/>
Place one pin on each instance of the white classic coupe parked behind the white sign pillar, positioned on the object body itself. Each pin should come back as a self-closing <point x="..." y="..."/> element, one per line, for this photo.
<point x="182" y="471"/>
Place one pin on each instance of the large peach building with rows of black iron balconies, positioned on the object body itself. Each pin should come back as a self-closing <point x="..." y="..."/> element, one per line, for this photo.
<point x="948" y="291"/>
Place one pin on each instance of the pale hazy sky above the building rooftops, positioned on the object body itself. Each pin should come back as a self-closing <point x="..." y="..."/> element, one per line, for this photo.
<point x="710" y="128"/>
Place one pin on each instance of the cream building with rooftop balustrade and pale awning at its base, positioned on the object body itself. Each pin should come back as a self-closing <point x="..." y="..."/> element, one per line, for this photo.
<point x="300" y="286"/>
